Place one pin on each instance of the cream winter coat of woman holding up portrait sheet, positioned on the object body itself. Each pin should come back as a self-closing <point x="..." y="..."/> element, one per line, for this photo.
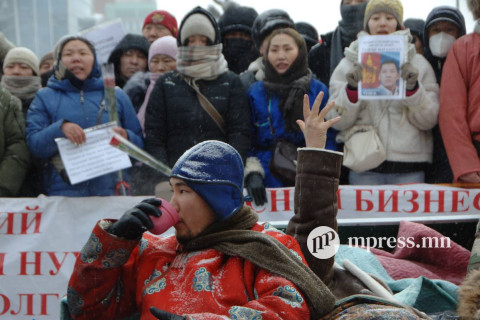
<point x="405" y="128"/>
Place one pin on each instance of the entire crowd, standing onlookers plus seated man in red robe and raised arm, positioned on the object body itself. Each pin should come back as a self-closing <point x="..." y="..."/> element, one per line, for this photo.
<point x="215" y="99"/>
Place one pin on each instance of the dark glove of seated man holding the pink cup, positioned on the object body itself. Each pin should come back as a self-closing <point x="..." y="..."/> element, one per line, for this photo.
<point x="136" y="221"/>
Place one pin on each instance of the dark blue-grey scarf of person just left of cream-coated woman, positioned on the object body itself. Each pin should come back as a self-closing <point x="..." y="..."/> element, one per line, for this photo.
<point x="346" y="32"/>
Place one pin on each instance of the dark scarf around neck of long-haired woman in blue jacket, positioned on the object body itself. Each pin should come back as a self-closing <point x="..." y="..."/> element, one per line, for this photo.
<point x="290" y="87"/>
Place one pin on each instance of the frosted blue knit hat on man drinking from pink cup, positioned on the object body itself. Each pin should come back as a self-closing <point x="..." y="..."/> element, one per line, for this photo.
<point x="214" y="170"/>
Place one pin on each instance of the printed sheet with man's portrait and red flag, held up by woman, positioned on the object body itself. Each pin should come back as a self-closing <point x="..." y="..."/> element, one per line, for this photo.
<point x="381" y="58"/>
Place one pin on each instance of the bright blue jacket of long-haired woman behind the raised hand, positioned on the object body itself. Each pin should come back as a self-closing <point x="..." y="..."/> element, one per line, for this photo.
<point x="266" y="114"/>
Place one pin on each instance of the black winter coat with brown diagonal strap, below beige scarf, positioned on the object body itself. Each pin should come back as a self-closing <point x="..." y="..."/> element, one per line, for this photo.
<point x="176" y="121"/>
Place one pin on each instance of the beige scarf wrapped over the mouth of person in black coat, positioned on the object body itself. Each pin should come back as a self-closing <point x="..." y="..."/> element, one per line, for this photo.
<point x="201" y="62"/>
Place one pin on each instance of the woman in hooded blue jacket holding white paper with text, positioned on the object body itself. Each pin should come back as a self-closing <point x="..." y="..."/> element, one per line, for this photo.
<point x="71" y="102"/>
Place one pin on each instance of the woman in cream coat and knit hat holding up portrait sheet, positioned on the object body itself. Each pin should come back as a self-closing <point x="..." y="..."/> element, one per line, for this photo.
<point x="404" y="126"/>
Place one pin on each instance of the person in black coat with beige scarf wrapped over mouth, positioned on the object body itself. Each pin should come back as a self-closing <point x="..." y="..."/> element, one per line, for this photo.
<point x="176" y="116"/>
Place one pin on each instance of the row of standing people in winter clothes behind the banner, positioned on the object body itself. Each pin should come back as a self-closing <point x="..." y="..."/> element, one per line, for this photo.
<point x="240" y="79"/>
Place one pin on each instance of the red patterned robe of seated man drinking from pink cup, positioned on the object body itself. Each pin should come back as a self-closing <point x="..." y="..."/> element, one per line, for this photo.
<point x="136" y="275"/>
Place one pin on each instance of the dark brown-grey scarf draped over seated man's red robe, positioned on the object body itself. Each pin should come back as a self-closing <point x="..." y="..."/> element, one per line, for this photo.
<point x="234" y="237"/>
